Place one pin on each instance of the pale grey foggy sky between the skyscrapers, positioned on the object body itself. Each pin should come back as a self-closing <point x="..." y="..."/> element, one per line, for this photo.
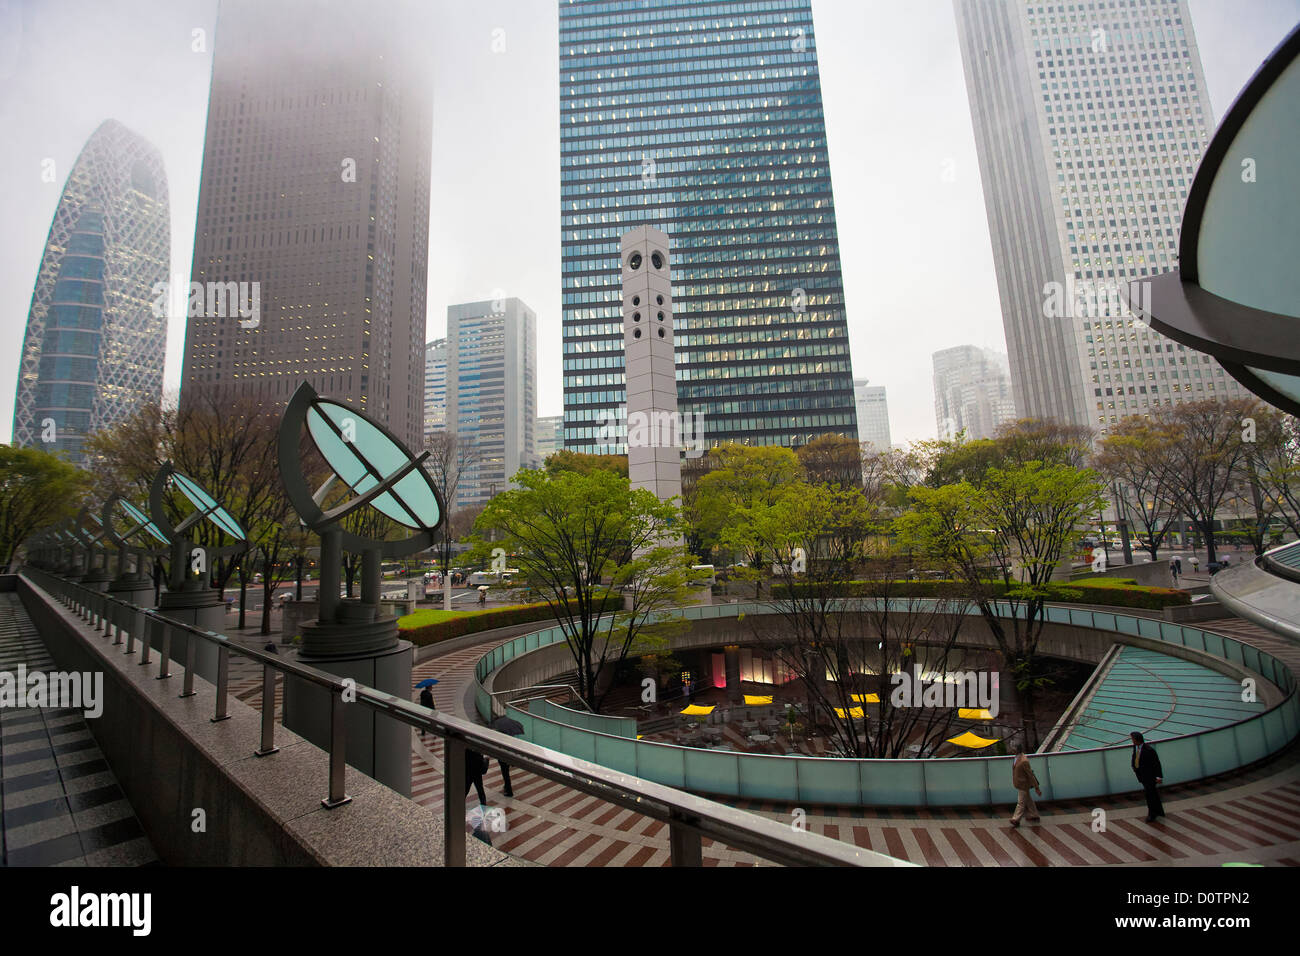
<point x="915" y="245"/>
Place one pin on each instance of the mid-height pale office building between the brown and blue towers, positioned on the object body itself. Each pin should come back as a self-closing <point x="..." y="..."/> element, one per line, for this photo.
<point x="492" y="393"/>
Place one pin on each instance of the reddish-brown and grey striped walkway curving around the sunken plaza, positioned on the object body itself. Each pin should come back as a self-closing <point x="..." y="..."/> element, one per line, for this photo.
<point x="1250" y="816"/>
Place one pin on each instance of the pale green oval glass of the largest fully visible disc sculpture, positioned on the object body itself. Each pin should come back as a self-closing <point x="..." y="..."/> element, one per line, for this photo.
<point x="363" y="456"/>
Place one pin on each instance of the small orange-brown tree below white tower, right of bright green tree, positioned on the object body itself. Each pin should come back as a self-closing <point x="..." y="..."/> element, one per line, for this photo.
<point x="1134" y="457"/>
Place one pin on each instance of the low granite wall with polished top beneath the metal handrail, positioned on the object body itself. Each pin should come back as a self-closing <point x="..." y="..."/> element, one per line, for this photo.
<point x="172" y="760"/>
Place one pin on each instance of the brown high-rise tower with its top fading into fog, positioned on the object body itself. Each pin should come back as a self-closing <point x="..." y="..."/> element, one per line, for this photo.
<point x="314" y="205"/>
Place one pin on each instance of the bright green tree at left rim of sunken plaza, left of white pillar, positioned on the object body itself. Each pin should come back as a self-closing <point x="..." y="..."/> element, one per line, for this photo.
<point x="580" y="538"/>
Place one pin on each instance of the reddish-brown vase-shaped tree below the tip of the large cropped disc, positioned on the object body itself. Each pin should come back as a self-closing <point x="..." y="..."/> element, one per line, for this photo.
<point x="1204" y="462"/>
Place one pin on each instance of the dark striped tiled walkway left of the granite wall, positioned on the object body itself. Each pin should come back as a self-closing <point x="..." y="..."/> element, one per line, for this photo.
<point x="60" y="804"/>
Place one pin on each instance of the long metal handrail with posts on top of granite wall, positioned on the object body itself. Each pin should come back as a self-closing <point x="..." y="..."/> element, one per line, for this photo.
<point x="690" y="817"/>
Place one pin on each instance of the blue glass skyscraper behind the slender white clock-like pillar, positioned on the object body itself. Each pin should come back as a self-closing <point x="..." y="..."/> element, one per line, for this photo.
<point x="703" y="119"/>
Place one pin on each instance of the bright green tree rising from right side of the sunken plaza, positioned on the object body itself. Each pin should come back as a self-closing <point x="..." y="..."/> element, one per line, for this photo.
<point x="1004" y="539"/>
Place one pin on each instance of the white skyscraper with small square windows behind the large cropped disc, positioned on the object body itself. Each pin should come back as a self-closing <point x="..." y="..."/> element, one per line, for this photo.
<point x="1090" y="120"/>
